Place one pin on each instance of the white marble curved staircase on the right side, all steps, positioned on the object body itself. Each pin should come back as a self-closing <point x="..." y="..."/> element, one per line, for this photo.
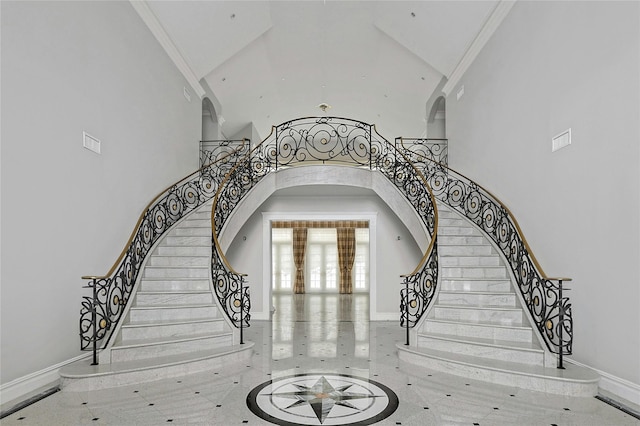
<point x="477" y="327"/>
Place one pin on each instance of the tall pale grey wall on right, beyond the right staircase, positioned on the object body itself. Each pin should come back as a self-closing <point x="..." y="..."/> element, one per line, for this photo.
<point x="549" y="67"/>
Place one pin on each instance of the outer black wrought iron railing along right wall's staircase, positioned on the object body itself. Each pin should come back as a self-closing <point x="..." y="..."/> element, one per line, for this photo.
<point x="549" y="309"/>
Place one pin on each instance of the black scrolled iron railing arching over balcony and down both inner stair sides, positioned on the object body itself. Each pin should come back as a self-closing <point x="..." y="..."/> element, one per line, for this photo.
<point x="323" y="140"/>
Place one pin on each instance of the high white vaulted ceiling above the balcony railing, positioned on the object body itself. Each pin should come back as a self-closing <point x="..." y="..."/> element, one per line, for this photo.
<point x="272" y="61"/>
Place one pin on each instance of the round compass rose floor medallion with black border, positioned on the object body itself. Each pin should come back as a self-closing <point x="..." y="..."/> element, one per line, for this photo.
<point x="322" y="399"/>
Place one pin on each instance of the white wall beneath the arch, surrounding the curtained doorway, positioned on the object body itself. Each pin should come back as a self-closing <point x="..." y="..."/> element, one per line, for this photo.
<point x="394" y="257"/>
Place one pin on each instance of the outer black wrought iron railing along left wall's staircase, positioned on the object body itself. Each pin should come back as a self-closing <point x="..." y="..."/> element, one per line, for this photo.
<point x="101" y="311"/>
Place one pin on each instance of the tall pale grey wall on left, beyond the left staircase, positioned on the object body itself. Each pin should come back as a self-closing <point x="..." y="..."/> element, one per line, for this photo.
<point x="67" y="212"/>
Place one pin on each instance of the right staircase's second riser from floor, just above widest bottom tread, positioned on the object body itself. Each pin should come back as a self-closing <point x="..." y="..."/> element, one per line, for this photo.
<point x="495" y="353"/>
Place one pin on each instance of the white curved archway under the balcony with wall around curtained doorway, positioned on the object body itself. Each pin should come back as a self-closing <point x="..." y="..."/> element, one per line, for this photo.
<point x="397" y="240"/>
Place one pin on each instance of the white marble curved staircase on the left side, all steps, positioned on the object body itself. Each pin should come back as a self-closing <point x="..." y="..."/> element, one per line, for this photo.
<point x="173" y="325"/>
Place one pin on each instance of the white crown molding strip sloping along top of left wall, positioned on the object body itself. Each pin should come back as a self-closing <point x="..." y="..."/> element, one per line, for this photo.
<point x="150" y="19"/>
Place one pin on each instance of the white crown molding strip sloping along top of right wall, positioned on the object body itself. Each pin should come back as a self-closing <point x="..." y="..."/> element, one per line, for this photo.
<point x="490" y="26"/>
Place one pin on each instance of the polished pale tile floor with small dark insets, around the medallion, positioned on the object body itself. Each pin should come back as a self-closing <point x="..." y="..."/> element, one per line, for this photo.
<point x="325" y="335"/>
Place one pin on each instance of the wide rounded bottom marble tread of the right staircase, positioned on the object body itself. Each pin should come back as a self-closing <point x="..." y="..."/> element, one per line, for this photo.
<point x="571" y="373"/>
